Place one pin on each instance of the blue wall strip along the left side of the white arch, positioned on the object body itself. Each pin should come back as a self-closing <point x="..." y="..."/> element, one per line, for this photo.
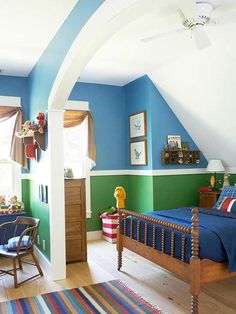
<point x="44" y="73"/>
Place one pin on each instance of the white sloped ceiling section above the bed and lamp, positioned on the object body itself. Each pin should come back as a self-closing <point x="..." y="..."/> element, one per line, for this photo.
<point x="200" y="89"/>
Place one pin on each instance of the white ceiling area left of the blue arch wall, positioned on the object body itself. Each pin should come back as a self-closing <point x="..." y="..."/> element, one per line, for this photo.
<point x="27" y="27"/>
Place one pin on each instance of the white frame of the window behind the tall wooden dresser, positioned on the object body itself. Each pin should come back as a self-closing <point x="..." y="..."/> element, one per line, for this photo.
<point x="83" y="105"/>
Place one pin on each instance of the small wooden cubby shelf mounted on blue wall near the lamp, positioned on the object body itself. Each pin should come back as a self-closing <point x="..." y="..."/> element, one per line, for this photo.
<point x="180" y="157"/>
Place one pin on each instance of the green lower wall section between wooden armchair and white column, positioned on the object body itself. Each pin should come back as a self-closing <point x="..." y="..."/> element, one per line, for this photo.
<point x="39" y="210"/>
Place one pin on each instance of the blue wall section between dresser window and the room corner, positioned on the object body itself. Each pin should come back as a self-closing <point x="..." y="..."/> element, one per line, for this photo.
<point x="107" y="105"/>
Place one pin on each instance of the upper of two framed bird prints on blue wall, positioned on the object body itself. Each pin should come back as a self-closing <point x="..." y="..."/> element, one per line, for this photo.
<point x="137" y="125"/>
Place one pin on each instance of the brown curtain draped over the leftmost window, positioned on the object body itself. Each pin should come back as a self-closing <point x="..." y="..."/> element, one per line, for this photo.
<point x="17" y="147"/>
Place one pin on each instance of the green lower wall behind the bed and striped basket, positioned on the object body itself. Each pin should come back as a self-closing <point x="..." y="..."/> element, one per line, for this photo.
<point x="145" y="193"/>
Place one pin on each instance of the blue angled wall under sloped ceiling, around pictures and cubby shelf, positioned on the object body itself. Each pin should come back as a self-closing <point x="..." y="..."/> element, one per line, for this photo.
<point x="141" y="94"/>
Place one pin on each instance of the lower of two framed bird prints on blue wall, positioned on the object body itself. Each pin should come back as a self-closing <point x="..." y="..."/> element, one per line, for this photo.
<point x="138" y="153"/>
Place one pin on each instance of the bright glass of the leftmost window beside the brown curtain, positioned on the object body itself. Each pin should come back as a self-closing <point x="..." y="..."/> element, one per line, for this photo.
<point x="8" y="169"/>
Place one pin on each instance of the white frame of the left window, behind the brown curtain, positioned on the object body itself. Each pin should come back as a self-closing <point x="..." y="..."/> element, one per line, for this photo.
<point x="11" y="101"/>
